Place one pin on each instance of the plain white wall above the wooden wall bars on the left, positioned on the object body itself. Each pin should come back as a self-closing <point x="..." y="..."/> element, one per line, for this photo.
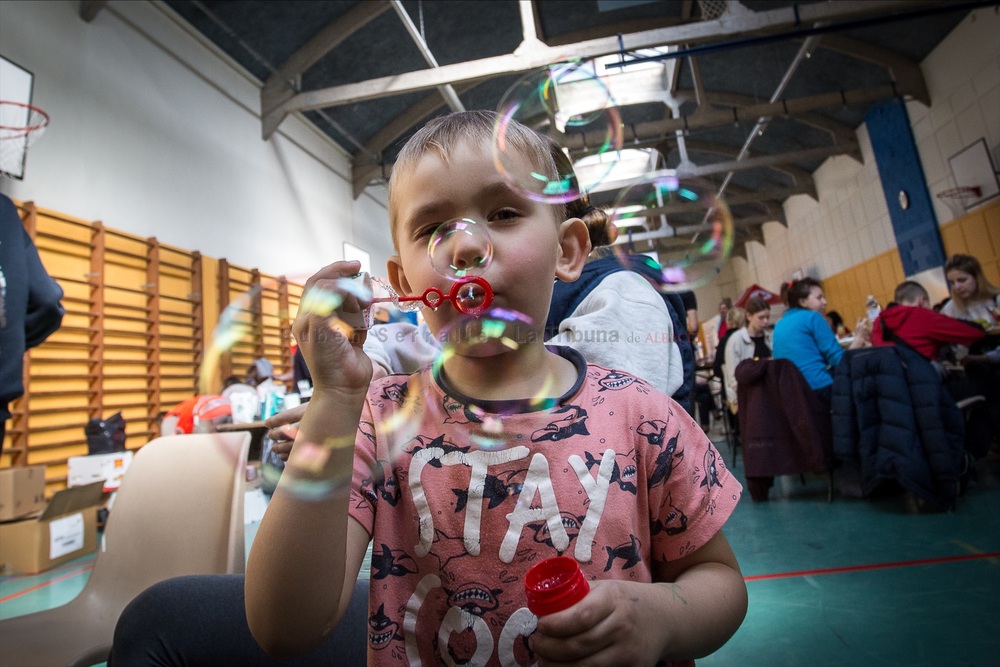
<point x="157" y="133"/>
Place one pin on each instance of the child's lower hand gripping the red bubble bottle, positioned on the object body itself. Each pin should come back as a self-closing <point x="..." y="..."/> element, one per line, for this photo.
<point x="605" y="628"/>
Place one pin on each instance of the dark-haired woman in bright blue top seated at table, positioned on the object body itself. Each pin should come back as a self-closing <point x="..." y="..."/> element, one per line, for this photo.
<point x="803" y="337"/>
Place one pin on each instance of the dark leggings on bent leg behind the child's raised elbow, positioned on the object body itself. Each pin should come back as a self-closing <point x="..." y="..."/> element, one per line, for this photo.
<point x="200" y="620"/>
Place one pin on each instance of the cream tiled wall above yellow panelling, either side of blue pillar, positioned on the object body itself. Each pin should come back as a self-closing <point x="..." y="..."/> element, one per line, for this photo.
<point x="850" y="222"/>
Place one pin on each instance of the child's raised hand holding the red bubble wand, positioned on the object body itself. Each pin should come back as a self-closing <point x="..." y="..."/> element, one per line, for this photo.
<point x="332" y="349"/>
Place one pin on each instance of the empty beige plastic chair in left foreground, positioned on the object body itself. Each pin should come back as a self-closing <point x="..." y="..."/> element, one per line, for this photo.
<point x="179" y="511"/>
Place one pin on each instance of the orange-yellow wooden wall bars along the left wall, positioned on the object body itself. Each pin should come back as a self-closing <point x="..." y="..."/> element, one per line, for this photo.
<point x="140" y="316"/>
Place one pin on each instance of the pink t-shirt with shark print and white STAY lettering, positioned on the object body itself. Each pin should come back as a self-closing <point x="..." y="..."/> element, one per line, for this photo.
<point x="462" y="497"/>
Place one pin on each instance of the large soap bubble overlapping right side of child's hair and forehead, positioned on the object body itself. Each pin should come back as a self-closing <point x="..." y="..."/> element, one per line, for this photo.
<point x="562" y="101"/>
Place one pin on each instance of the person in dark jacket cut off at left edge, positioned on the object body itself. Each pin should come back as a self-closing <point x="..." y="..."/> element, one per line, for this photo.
<point x="30" y="308"/>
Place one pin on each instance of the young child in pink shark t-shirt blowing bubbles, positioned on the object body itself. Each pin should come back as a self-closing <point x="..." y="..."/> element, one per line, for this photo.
<point x="610" y="471"/>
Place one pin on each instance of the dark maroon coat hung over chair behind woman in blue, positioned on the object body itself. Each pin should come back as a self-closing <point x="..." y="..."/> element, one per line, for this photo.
<point x="784" y="428"/>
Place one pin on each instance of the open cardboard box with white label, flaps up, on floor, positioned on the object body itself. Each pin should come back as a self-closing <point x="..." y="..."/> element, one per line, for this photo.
<point x="67" y="529"/>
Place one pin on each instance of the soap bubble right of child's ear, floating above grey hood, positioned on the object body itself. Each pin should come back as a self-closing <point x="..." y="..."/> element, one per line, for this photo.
<point x="693" y="227"/>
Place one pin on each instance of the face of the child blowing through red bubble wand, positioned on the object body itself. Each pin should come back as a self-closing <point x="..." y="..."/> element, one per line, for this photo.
<point x="530" y="247"/>
